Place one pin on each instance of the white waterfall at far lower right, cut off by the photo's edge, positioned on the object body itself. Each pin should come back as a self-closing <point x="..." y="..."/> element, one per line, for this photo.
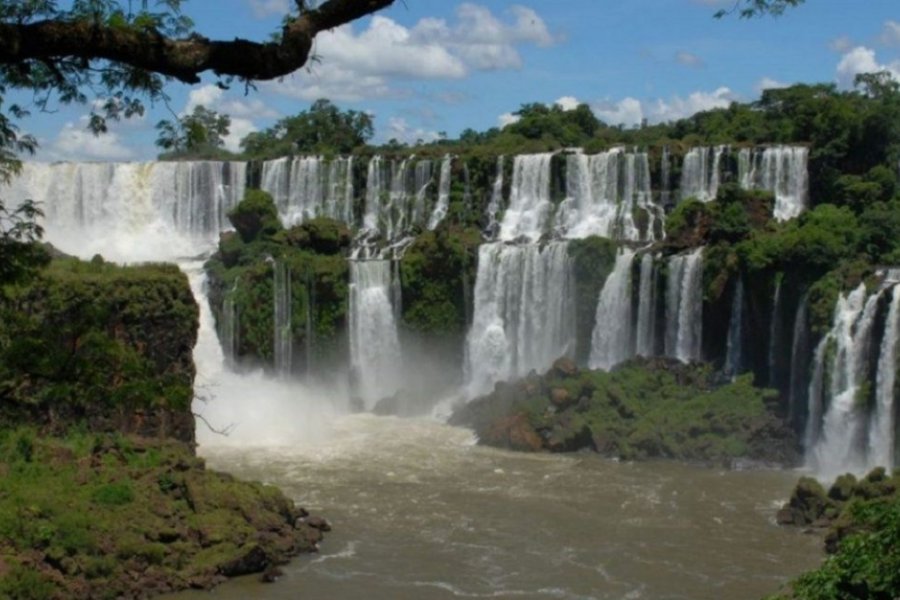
<point x="882" y="428"/>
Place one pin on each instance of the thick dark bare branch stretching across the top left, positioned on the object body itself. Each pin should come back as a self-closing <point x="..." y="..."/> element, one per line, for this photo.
<point x="182" y="59"/>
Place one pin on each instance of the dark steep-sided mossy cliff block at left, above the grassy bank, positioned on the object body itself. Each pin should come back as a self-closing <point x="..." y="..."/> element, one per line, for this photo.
<point x="93" y="336"/>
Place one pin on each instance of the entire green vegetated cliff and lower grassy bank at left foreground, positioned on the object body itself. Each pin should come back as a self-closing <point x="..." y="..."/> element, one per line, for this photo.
<point x="100" y="492"/>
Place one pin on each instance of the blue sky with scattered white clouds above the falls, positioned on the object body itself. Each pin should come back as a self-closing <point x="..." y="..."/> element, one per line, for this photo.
<point x="423" y="68"/>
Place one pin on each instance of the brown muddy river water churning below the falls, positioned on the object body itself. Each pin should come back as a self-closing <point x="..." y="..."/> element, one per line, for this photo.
<point x="421" y="512"/>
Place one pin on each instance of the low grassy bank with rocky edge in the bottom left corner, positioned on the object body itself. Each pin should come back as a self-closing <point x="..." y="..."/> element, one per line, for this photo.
<point x="93" y="515"/>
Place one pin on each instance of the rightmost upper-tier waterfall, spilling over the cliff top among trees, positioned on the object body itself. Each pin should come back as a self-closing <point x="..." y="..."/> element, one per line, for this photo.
<point x="781" y="170"/>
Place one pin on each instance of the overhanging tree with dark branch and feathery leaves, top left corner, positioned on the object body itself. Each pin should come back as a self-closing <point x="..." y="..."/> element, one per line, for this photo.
<point x="61" y="50"/>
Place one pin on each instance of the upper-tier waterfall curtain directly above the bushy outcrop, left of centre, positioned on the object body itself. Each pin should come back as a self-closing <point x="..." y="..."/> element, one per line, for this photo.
<point x="305" y="187"/>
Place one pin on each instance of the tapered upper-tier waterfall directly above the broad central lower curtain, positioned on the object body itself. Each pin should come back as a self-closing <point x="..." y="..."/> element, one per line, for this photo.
<point x="529" y="203"/>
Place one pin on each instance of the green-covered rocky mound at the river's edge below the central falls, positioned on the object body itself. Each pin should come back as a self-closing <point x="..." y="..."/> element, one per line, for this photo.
<point x="643" y="409"/>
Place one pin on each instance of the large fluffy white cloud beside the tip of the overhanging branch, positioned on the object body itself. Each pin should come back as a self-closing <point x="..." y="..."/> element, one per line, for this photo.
<point x="371" y="63"/>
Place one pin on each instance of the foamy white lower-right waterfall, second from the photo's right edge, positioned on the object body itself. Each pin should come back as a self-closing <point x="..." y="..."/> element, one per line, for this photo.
<point x="837" y="446"/>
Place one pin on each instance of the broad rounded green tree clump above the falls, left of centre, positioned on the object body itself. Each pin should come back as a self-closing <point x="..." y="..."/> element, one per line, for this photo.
<point x="323" y="129"/>
